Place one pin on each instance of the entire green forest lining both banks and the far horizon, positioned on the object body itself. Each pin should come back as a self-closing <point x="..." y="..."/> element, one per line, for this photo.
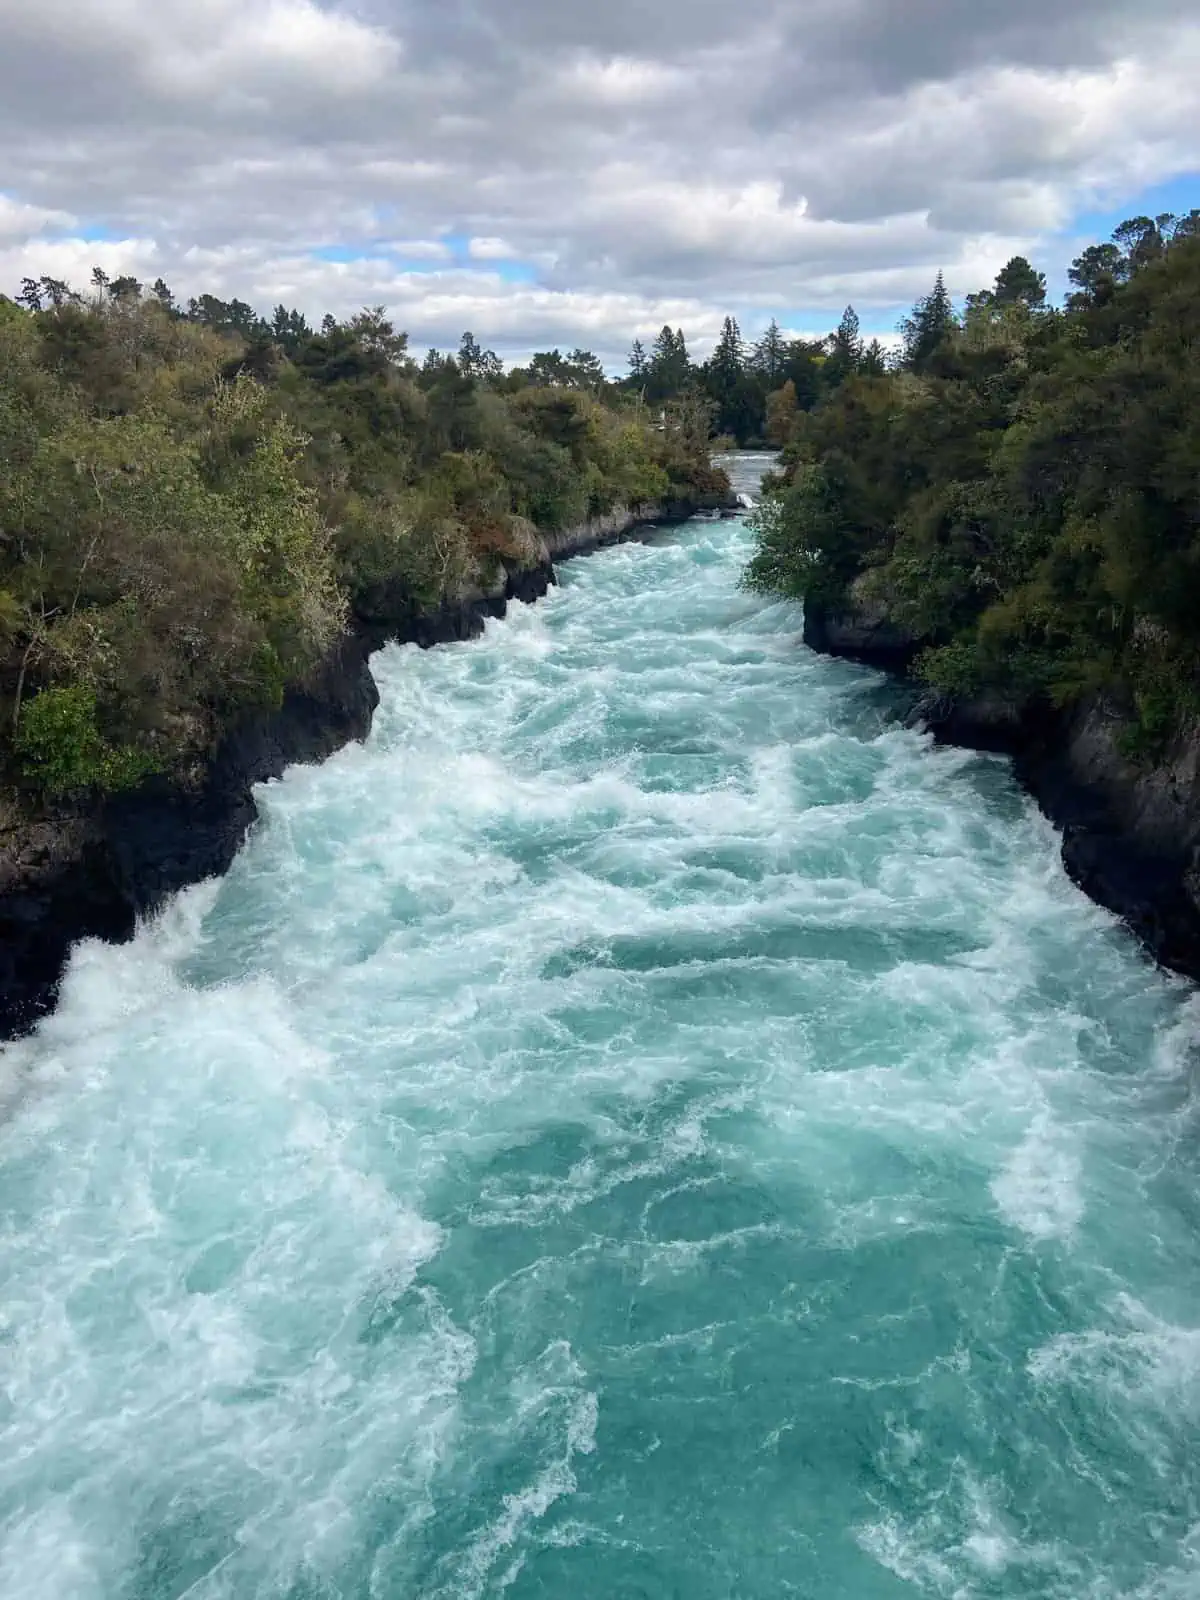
<point x="196" y="500"/>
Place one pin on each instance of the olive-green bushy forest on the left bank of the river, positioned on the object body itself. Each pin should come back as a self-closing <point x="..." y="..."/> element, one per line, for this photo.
<point x="198" y="502"/>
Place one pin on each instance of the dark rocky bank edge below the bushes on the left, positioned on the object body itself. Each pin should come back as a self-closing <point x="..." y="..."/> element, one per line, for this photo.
<point x="94" y="873"/>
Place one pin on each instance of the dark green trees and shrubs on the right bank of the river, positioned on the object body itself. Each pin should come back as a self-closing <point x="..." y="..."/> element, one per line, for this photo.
<point x="1022" y="490"/>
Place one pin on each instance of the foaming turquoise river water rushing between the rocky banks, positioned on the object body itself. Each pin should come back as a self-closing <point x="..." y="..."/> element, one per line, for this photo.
<point x="641" y="1127"/>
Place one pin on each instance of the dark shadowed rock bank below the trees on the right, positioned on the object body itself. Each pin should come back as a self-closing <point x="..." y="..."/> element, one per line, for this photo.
<point x="1130" y="823"/>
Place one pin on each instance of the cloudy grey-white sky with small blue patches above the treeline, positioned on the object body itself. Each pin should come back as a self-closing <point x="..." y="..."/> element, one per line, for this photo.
<point x="567" y="172"/>
